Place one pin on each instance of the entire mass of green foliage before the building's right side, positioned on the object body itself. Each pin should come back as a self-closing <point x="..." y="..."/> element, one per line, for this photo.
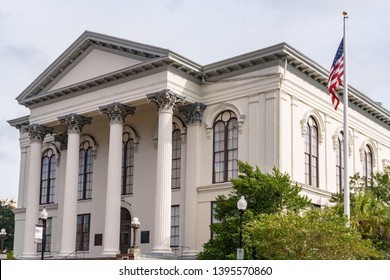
<point x="278" y="224"/>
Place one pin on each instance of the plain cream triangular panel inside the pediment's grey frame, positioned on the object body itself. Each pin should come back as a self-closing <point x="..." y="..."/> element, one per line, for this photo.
<point x="95" y="64"/>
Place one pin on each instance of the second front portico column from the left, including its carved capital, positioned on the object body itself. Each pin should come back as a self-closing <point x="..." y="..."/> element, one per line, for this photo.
<point x="74" y="123"/>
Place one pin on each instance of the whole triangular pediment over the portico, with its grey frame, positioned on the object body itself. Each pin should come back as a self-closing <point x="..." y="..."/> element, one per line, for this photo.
<point x="91" y="57"/>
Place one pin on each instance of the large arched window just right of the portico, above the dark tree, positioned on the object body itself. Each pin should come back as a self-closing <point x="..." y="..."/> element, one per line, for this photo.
<point x="225" y="147"/>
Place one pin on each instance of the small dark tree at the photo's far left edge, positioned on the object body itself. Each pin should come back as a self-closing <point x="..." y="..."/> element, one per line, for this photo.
<point x="7" y="221"/>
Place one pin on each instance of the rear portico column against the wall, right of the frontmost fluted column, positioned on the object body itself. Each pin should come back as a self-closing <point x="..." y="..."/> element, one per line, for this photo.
<point x="193" y="121"/>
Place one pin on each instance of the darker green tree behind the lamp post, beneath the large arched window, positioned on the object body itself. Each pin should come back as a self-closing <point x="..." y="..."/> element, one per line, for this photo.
<point x="264" y="192"/>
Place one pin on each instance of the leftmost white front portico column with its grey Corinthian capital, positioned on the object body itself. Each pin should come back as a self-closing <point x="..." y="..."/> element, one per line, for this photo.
<point x="37" y="133"/>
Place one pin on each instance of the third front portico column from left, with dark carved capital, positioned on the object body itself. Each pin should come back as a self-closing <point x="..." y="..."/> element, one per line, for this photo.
<point x="117" y="113"/>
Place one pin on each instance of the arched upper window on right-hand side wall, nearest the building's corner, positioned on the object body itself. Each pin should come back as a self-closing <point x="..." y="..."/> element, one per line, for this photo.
<point x="311" y="153"/>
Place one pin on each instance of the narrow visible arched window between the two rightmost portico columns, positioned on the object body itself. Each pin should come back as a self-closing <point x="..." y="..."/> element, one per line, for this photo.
<point x="176" y="157"/>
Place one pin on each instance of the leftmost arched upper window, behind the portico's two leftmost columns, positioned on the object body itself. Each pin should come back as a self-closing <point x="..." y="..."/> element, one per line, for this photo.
<point x="48" y="177"/>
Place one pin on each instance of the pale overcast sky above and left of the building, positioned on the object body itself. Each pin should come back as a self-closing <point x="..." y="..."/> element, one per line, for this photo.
<point x="33" y="33"/>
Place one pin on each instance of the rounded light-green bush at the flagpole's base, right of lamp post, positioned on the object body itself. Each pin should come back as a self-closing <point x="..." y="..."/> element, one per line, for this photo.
<point x="312" y="235"/>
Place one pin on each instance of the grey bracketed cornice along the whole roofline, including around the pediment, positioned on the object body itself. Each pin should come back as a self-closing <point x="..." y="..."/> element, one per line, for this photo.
<point x="154" y="59"/>
